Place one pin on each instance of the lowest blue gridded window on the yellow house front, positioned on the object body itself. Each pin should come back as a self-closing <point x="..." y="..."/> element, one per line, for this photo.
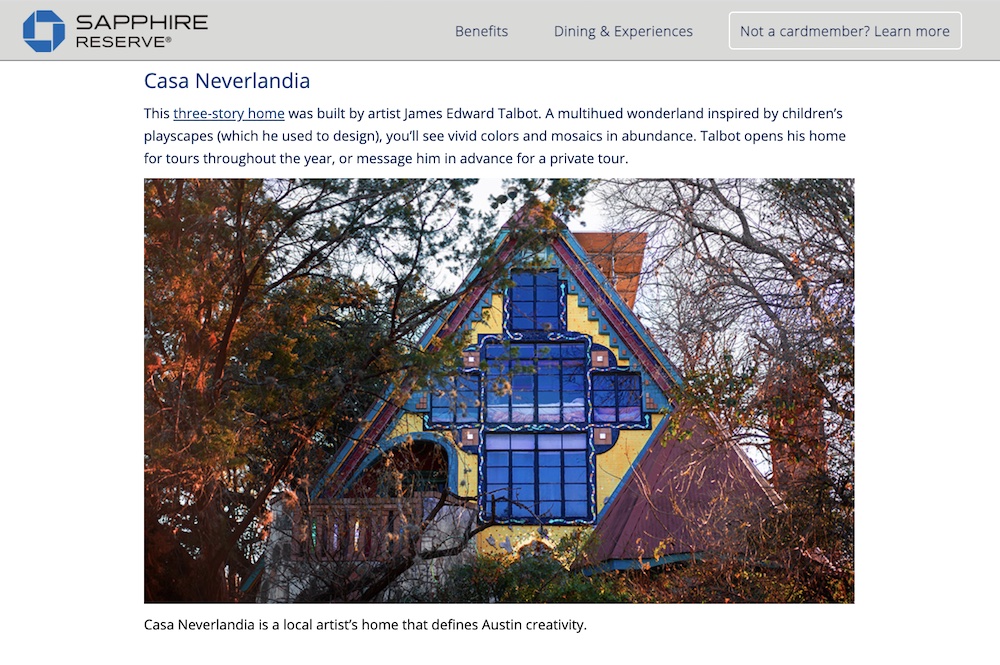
<point x="544" y="478"/>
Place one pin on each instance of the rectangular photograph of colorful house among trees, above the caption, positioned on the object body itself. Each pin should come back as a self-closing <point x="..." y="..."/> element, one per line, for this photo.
<point x="499" y="391"/>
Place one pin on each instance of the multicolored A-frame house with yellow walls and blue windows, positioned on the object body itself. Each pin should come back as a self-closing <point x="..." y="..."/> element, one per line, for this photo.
<point x="557" y="418"/>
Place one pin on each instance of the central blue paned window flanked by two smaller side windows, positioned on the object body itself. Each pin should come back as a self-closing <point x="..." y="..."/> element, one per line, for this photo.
<point x="536" y="383"/>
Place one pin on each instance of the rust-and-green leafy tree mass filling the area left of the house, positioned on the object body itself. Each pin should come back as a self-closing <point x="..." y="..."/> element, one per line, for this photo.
<point x="276" y="312"/>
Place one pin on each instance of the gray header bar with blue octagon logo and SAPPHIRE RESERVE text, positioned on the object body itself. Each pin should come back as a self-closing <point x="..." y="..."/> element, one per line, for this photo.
<point x="361" y="30"/>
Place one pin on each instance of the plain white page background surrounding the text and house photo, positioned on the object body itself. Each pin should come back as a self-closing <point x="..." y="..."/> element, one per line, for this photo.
<point x="922" y="144"/>
